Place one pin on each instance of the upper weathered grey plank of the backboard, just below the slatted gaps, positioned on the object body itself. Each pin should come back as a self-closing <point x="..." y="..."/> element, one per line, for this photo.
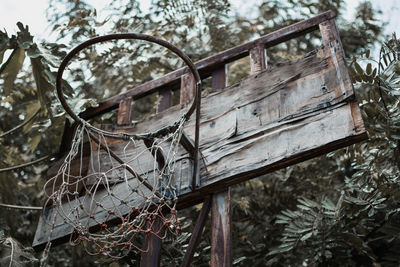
<point x="301" y="86"/>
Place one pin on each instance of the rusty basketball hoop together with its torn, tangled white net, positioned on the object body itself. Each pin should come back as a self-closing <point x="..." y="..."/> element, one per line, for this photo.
<point x="115" y="188"/>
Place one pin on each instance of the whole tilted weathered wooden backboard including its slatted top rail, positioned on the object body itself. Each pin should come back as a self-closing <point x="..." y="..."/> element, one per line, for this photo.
<point x="280" y="116"/>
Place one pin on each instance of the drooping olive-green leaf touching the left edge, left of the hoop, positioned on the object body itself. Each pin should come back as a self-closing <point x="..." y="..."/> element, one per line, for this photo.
<point x="12" y="68"/>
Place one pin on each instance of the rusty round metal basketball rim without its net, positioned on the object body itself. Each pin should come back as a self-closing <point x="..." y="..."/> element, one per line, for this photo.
<point x="138" y="36"/>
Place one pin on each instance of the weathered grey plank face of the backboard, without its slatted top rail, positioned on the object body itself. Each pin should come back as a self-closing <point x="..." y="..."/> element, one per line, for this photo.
<point x="313" y="113"/>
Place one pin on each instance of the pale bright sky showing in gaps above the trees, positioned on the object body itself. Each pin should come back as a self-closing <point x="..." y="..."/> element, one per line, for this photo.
<point x="33" y="13"/>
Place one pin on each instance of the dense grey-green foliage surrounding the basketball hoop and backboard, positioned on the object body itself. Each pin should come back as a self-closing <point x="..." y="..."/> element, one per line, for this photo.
<point x="339" y="209"/>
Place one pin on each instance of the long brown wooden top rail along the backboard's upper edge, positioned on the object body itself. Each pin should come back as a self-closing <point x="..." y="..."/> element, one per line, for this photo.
<point x="207" y="65"/>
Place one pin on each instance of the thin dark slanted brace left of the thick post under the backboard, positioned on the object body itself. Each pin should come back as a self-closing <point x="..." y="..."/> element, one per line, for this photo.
<point x="198" y="230"/>
